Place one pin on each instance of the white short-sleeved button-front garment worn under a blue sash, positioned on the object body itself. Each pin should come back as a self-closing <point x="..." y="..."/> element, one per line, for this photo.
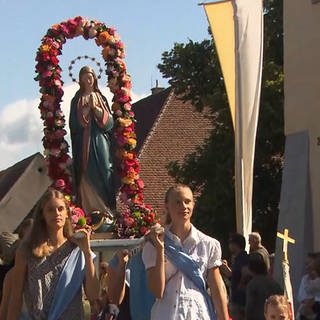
<point x="182" y="300"/>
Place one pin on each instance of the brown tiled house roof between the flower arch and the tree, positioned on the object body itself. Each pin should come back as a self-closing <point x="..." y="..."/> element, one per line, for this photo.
<point x="167" y="129"/>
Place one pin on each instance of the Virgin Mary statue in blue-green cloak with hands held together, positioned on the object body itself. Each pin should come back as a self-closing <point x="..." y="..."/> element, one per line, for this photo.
<point x="91" y="125"/>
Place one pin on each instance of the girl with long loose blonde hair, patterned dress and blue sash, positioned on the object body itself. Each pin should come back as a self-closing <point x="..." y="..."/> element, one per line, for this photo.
<point x="52" y="266"/>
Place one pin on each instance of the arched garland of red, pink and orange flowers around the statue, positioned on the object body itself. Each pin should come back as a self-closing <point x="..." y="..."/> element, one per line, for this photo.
<point x="55" y="146"/>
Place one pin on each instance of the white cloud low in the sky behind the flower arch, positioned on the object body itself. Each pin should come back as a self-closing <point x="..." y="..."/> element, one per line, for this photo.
<point x="21" y="127"/>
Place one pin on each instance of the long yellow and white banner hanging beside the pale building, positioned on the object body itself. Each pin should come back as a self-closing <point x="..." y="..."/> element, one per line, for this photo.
<point x="237" y="29"/>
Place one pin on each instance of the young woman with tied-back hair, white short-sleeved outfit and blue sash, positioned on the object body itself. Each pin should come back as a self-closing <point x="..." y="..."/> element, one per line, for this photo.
<point x="167" y="261"/>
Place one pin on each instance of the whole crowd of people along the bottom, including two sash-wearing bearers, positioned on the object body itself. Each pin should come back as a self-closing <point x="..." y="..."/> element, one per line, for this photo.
<point x="178" y="274"/>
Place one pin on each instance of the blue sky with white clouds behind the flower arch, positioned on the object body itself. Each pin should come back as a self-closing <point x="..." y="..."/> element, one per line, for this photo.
<point x="147" y="28"/>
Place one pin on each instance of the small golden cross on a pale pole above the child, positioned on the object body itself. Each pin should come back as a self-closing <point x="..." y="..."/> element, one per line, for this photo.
<point x="286" y="268"/>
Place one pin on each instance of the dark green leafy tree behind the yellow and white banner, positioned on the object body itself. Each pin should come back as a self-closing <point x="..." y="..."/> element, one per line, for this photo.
<point x="194" y="73"/>
